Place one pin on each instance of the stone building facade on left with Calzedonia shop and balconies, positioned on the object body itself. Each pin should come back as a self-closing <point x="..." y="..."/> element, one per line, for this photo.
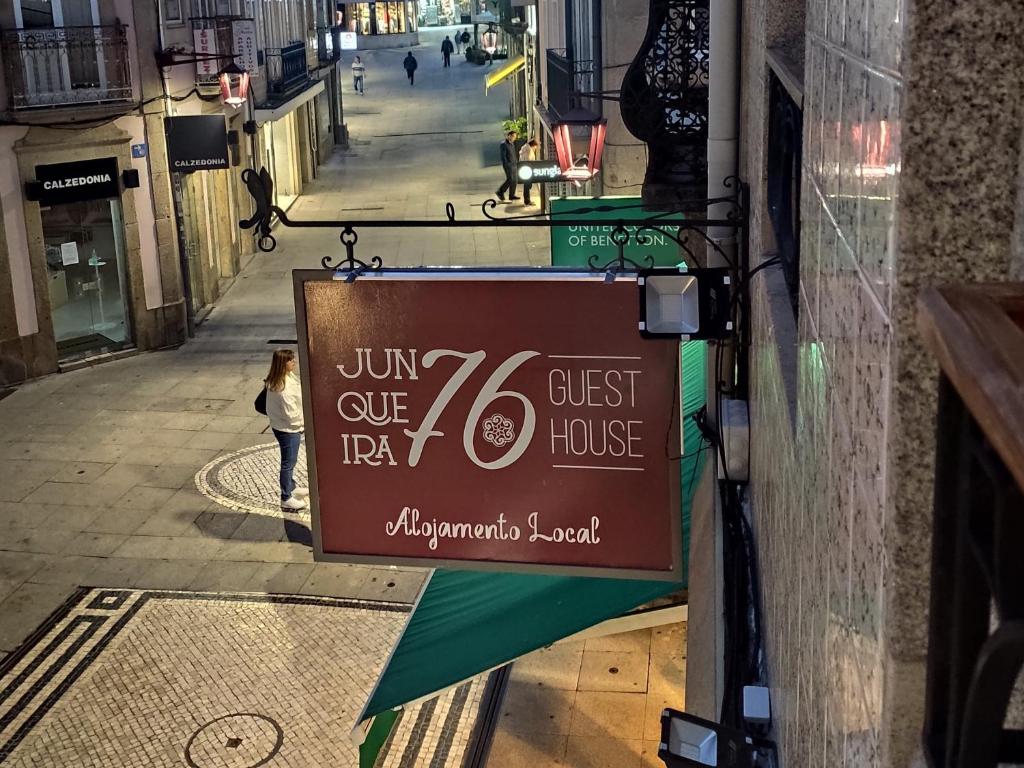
<point x="102" y="271"/>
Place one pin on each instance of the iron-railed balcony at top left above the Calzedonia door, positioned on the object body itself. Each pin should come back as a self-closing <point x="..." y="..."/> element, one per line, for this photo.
<point x="66" y="66"/>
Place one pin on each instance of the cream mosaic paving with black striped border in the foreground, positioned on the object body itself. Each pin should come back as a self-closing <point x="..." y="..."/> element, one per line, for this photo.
<point x="140" y="679"/>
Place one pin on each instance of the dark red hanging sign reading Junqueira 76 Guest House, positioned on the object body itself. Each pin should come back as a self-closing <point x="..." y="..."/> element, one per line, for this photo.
<point x="503" y="421"/>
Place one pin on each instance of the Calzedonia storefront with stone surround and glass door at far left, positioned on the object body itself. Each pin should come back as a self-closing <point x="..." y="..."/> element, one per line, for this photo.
<point x="93" y="267"/>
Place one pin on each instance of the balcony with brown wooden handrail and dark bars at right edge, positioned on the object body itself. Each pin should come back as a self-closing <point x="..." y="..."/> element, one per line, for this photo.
<point x="976" y="637"/>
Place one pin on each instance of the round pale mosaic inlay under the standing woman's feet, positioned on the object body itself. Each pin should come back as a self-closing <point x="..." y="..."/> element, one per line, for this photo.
<point x="247" y="481"/>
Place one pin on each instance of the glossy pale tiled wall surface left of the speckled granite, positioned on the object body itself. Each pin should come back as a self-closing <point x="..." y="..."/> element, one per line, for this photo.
<point x="820" y="485"/>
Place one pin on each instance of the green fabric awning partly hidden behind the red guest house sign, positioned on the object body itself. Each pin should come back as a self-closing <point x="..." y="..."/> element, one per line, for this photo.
<point x="466" y="623"/>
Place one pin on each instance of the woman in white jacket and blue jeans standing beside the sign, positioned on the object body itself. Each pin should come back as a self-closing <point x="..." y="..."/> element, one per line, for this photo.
<point x="284" y="408"/>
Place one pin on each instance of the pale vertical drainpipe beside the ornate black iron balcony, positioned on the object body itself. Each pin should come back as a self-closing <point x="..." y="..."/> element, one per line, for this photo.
<point x="723" y="121"/>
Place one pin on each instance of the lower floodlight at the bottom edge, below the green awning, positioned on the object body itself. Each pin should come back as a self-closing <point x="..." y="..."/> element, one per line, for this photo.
<point x="690" y="742"/>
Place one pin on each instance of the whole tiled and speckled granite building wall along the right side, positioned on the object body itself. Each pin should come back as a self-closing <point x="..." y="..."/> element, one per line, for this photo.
<point x="913" y="130"/>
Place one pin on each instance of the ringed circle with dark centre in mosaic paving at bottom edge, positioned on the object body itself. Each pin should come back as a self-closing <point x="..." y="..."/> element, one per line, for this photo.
<point x="242" y="741"/>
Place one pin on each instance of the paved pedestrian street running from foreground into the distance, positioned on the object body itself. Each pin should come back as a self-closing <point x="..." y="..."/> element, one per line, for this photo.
<point x="155" y="474"/>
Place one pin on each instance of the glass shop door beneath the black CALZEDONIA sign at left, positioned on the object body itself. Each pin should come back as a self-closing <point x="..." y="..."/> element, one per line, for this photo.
<point x="88" y="277"/>
